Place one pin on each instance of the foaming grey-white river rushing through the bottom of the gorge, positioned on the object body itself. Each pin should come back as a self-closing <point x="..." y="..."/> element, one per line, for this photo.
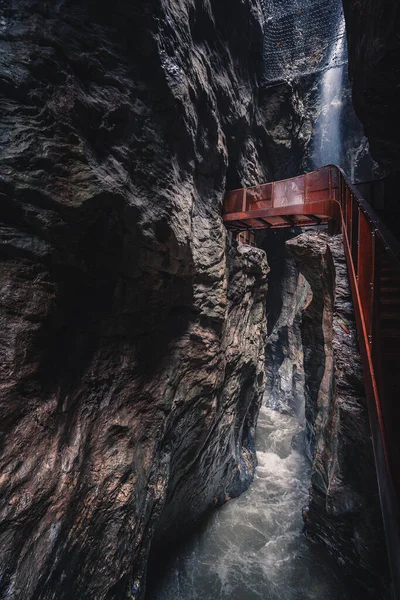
<point x="253" y="548"/>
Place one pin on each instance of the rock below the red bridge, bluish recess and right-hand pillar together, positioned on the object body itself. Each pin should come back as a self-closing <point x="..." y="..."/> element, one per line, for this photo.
<point x="314" y="371"/>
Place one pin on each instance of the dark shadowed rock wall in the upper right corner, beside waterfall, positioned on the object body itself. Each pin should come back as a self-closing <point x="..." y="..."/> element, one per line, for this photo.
<point x="374" y="46"/>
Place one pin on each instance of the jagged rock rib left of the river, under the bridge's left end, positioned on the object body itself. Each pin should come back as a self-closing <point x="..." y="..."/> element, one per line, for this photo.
<point x="213" y="454"/>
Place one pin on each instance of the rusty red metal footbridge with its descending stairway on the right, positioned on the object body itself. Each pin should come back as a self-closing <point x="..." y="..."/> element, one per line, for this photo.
<point x="373" y="261"/>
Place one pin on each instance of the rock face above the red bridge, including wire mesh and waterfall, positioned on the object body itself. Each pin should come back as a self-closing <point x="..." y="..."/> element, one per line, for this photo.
<point x="306" y="94"/>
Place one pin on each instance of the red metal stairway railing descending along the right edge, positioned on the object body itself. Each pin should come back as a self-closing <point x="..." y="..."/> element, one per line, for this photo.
<point x="373" y="261"/>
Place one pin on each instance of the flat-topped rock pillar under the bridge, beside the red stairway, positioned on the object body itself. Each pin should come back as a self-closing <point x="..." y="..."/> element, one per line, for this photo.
<point x="343" y="512"/>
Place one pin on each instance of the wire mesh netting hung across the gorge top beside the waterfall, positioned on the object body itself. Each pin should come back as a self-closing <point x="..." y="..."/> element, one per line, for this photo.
<point x="302" y="37"/>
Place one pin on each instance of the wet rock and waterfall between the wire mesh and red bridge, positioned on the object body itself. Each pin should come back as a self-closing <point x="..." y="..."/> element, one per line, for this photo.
<point x="295" y="115"/>
